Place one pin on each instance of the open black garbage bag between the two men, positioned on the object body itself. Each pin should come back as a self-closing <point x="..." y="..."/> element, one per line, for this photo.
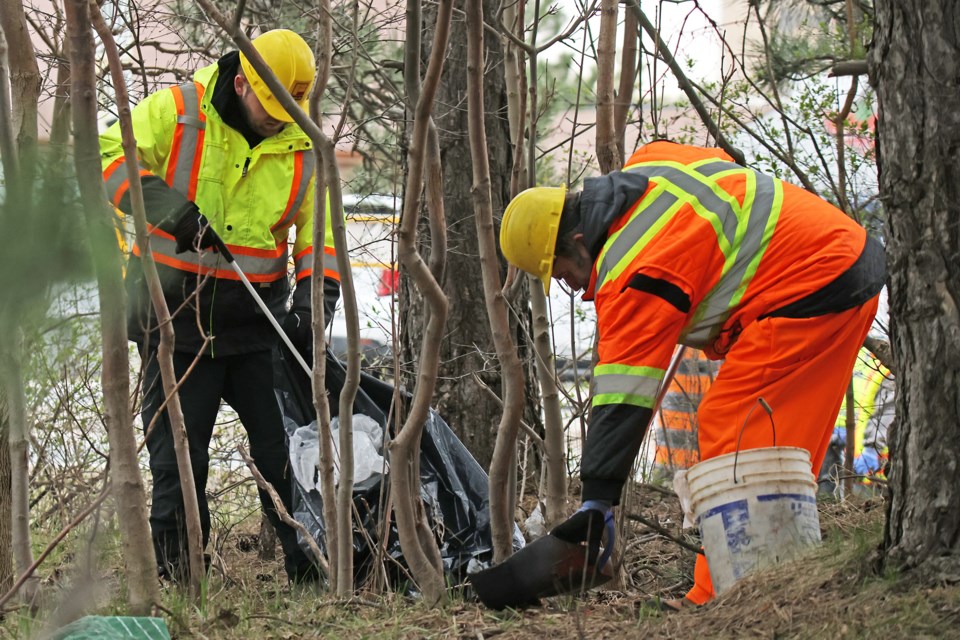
<point x="453" y="485"/>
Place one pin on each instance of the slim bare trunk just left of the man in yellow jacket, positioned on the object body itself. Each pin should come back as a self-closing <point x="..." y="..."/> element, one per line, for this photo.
<point x="139" y="559"/>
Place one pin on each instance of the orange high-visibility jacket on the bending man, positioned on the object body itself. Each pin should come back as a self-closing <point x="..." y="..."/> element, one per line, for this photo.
<point x="689" y="248"/>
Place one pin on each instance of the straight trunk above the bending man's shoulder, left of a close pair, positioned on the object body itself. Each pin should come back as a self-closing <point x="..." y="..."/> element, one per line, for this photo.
<point x="609" y="156"/>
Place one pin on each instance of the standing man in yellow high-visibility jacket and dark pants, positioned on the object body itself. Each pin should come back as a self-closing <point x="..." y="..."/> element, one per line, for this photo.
<point x="221" y="159"/>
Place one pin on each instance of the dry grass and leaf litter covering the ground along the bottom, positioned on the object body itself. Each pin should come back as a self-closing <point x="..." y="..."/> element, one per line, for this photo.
<point x="835" y="592"/>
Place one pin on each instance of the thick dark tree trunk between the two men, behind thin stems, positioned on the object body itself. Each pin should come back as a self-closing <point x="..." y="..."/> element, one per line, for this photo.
<point x="467" y="346"/>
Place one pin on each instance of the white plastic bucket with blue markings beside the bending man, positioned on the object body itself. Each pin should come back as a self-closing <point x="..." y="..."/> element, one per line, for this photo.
<point x="754" y="509"/>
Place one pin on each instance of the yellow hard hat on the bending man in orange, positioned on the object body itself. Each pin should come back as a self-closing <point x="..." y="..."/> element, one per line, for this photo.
<point x="528" y="231"/>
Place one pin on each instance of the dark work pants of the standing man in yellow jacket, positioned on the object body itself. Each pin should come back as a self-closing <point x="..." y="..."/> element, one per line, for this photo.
<point x="245" y="382"/>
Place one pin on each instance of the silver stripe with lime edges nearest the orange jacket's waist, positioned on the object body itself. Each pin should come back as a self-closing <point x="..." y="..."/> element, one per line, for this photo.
<point x="763" y="213"/>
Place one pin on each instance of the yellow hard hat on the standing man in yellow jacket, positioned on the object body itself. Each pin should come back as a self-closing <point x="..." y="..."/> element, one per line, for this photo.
<point x="291" y="59"/>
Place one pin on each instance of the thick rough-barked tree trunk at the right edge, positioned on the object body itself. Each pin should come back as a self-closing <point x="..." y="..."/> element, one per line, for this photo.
<point x="912" y="64"/>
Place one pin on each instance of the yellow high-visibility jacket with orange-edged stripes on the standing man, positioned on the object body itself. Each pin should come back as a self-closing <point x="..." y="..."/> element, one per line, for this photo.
<point x="252" y="198"/>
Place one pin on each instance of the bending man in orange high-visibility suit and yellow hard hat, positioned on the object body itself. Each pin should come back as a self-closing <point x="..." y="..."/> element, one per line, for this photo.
<point x="685" y="246"/>
